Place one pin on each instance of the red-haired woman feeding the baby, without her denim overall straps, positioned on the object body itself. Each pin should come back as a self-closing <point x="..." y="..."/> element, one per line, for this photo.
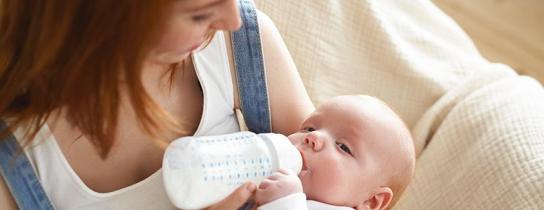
<point x="102" y="83"/>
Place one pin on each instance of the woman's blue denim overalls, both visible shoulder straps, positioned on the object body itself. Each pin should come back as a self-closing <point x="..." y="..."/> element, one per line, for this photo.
<point x="250" y="75"/>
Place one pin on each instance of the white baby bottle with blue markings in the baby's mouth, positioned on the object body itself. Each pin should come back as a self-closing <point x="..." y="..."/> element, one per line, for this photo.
<point x="201" y="171"/>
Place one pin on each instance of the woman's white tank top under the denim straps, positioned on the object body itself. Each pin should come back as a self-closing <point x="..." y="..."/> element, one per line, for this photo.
<point x="67" y="191"/>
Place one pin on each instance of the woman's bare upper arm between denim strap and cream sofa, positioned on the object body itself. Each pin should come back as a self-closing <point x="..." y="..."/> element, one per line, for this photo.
<point x="289" y="101"/>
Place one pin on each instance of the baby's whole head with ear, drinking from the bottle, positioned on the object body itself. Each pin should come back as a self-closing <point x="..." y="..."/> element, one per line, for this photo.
<point x="357" y="152"/>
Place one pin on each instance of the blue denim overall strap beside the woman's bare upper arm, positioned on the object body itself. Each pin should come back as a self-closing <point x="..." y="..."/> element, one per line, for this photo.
<point x="250" y="72"/>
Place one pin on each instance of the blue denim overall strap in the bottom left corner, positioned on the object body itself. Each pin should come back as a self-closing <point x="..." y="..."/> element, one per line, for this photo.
<point x="20" y="176"/>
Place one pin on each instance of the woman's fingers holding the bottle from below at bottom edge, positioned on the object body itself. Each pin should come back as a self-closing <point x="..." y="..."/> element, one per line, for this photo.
<point x="236" y="199"/>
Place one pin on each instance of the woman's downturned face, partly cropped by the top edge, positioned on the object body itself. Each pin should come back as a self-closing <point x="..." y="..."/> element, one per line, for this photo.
<point x="191" y="23"/>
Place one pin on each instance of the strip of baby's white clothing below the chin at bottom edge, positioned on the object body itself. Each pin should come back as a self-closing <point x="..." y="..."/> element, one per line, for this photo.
<point x="297" y="201"/>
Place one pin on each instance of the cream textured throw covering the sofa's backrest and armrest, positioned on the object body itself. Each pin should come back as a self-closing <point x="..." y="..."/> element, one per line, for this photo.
<point x="478" y="126"/>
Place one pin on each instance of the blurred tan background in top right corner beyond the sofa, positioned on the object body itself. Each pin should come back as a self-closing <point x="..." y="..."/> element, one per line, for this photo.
<point x="505" y="31"/>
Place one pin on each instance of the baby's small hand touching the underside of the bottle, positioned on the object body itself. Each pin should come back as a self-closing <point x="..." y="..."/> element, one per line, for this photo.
<point x="282" y="183"/>
